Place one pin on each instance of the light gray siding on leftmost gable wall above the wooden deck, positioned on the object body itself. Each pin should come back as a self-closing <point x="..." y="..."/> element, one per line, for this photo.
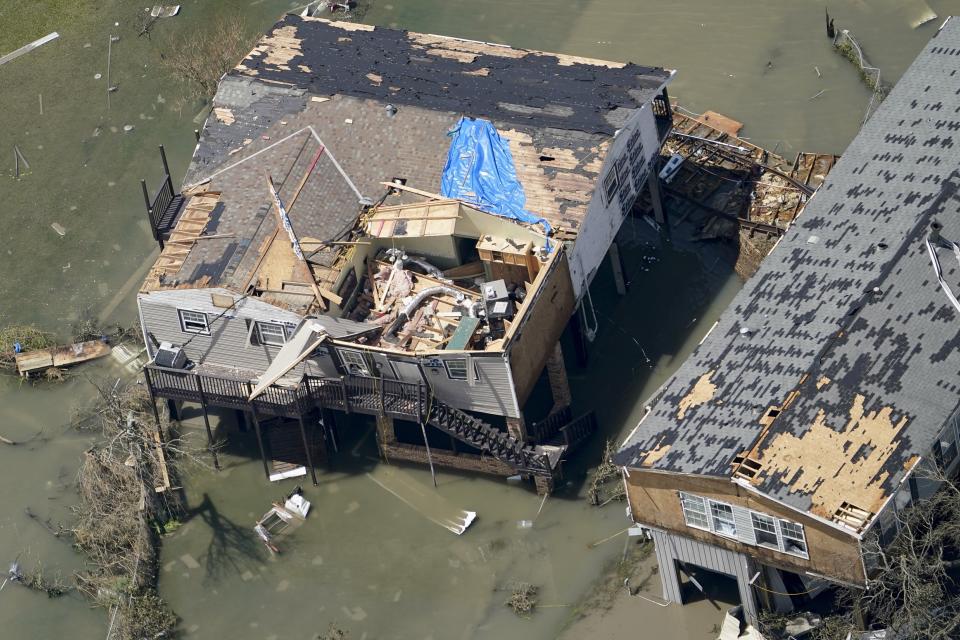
<point x="228" y="344"/>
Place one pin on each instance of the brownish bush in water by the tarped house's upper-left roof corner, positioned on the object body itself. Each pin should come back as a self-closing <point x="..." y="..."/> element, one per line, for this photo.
<point x="200" y="60"/>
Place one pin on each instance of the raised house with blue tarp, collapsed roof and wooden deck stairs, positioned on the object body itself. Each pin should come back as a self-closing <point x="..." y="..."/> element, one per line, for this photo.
<point x="451" y="201"/>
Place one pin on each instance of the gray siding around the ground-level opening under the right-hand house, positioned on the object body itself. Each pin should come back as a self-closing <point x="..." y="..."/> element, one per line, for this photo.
<point x="670" y="548"/>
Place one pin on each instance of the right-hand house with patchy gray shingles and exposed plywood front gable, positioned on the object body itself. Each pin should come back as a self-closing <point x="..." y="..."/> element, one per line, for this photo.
<point x="808" y="417"/>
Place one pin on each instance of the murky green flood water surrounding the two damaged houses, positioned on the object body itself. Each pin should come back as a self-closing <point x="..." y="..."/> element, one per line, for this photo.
<point x="365" y="559"/>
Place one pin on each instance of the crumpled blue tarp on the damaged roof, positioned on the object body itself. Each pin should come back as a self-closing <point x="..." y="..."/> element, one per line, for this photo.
<point x="480" y="171"/>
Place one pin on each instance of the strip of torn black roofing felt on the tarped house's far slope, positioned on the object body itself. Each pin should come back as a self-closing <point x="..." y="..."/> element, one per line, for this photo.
<point x="435" y="72"/>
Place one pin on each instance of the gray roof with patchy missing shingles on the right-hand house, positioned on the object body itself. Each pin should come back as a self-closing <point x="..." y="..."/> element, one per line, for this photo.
<point x="837" y="364"/>
